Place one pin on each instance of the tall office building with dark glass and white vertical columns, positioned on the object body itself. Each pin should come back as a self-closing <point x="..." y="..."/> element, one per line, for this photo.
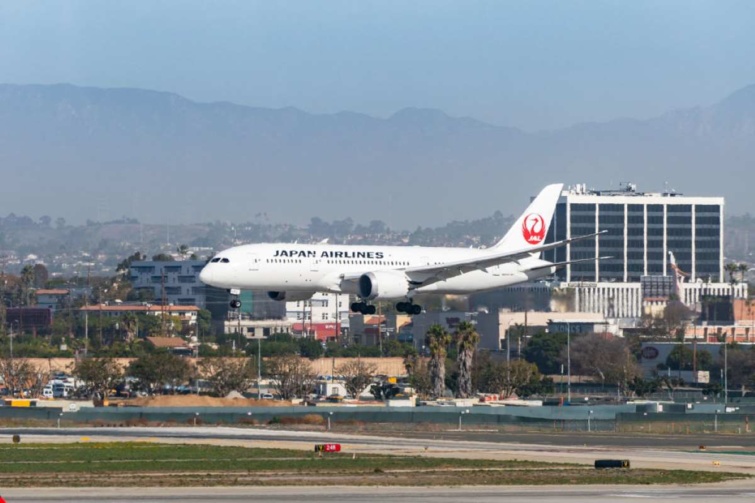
<point x="641" y="229"/>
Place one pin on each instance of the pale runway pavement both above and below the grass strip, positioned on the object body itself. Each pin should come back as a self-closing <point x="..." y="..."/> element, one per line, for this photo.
<point x="672" y="454"/>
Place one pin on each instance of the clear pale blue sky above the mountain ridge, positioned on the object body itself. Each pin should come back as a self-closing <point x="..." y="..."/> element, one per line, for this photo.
<point x="530" y="64"/>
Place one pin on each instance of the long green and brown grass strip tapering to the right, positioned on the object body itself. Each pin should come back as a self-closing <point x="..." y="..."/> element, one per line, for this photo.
<point x="148" y="464"/>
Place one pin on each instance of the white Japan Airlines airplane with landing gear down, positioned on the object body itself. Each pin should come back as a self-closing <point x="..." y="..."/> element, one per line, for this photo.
<point x="293" y="272"/>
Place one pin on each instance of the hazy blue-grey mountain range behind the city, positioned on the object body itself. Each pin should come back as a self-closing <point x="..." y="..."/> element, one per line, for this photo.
<point x="83" y="153"/>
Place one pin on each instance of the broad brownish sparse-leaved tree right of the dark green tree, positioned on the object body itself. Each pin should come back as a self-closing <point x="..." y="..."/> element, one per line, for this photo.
<point x="607" y="358"/>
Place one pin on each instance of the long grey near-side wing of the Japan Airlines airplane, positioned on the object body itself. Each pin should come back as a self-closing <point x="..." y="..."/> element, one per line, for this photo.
<point x="426" y="275"/>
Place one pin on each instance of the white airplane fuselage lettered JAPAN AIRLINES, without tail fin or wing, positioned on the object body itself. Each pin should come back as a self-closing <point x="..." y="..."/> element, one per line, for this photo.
<point x="322" y="267"/>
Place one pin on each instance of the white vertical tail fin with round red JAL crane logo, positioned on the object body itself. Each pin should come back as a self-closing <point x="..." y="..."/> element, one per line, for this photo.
<point x="531" y="227"/>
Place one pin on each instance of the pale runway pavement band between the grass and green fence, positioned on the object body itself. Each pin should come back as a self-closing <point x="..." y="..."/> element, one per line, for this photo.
<point x="652" y="453"/>
